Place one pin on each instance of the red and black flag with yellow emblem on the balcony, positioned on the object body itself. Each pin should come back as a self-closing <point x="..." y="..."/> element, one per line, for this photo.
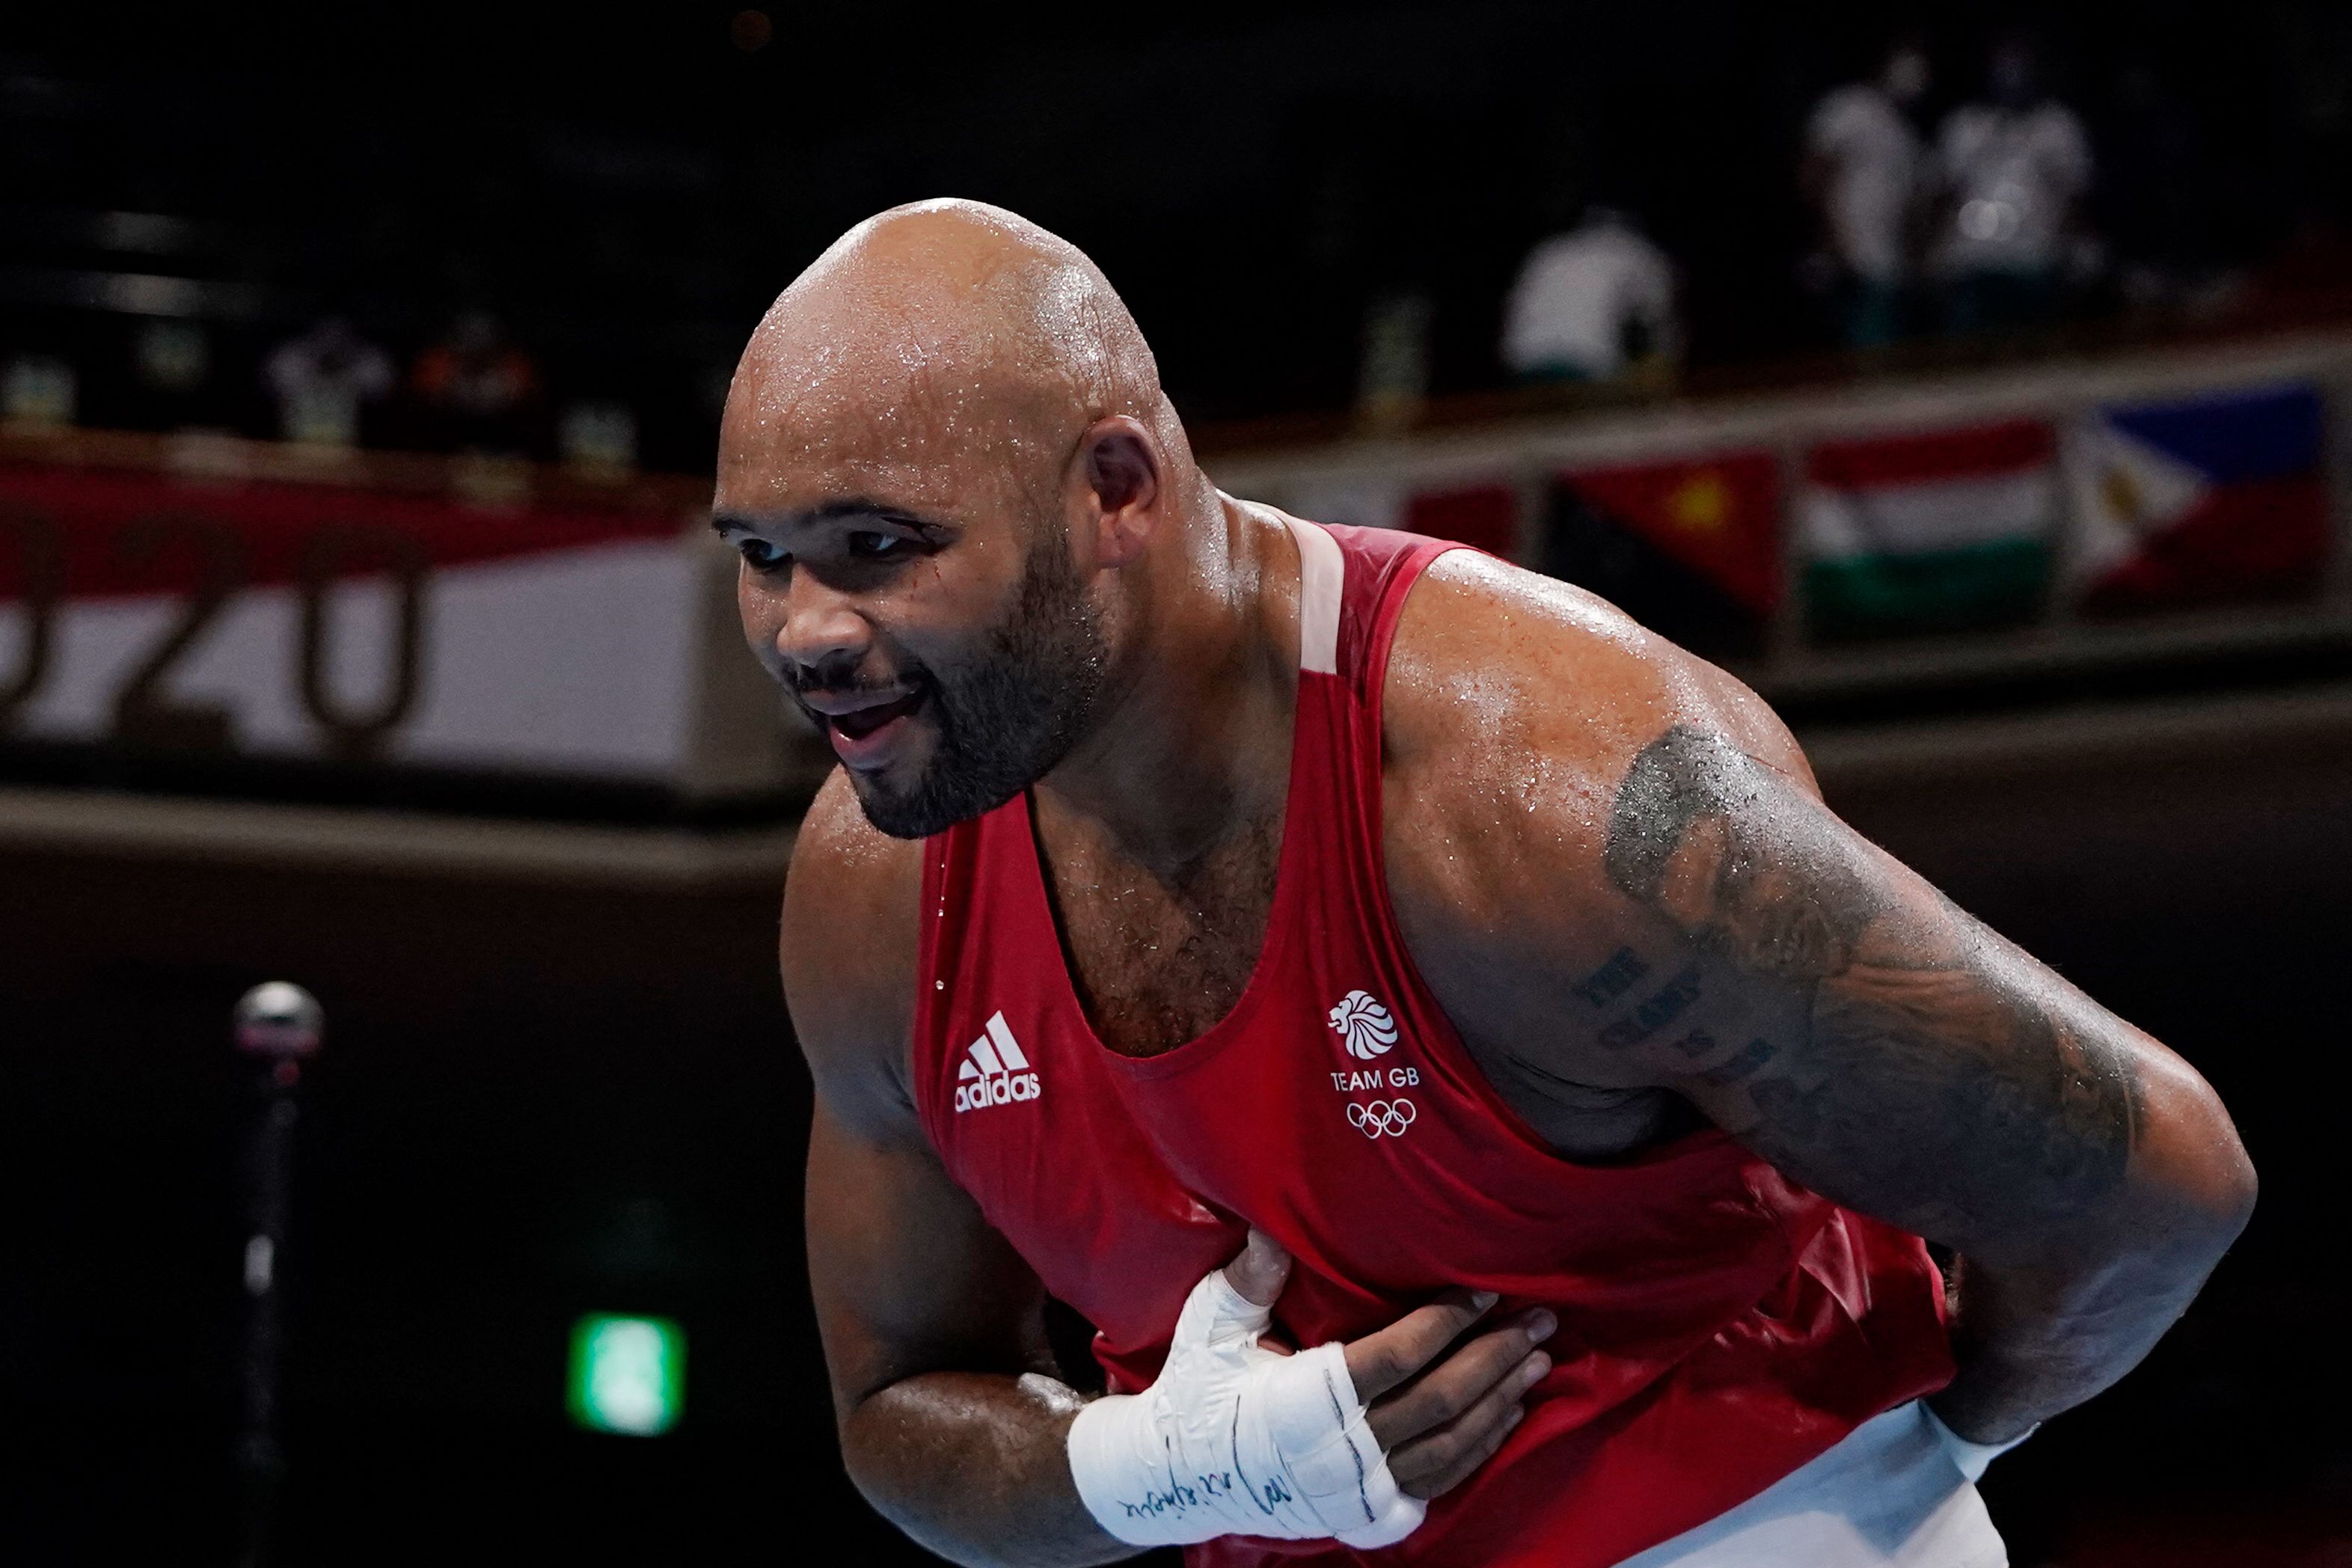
<point x="1690" y="549"/>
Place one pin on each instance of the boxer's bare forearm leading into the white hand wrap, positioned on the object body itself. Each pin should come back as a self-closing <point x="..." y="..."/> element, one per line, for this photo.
<point x="975" y="1466"/>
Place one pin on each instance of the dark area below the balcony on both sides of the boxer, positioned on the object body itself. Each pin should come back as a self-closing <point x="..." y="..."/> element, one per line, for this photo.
<point x="542" y="1101"/>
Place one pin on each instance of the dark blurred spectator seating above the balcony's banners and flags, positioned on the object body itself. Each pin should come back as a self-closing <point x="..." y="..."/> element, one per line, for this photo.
<point x="1398" y="220"/>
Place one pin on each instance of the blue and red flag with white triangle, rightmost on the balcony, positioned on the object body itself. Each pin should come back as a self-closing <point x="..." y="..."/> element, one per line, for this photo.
<point x="2200" y="502"/>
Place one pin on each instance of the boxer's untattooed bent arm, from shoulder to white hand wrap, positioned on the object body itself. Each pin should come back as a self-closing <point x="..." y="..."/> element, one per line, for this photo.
<point x="944" y="1388"/>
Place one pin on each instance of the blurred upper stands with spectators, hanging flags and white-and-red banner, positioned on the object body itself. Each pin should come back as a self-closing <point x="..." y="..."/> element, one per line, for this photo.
<point x="1897" y="363"/>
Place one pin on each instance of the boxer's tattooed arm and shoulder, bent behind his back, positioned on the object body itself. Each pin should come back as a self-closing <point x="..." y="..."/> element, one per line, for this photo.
<point x="1666" y="904"/>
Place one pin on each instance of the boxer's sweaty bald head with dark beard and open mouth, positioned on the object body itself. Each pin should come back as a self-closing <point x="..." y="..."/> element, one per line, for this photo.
<point x="951" y="476"/>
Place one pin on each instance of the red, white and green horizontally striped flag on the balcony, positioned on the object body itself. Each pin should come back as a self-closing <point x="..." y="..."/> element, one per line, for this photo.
<point x="1935" y="532"/>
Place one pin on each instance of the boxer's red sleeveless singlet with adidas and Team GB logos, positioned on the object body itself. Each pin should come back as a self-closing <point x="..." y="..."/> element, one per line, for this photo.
<point x="1718" y="1325"/>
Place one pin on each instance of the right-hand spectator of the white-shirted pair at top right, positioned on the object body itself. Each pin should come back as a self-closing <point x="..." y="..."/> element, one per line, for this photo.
<point x="2012" y="175"/>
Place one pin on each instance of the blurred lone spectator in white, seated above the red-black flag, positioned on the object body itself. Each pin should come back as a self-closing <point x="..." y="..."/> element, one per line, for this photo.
<point x="1591" y="304"/>
